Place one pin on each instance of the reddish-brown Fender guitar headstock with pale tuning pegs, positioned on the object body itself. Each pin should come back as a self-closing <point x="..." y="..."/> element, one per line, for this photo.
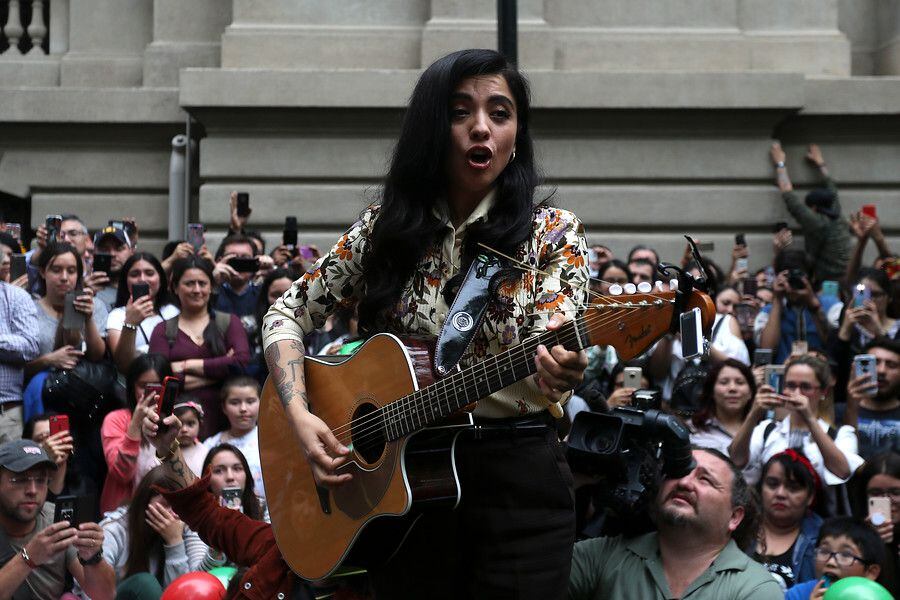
<point x="632" y="322"/>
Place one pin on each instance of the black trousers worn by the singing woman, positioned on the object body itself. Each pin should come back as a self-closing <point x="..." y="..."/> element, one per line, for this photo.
<point x="511" y="537"/>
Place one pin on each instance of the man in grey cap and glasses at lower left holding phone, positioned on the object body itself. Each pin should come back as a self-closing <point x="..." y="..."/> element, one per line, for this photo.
<point x="35" y="552"/>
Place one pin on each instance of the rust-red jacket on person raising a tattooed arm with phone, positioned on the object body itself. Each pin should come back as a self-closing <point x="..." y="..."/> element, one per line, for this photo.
<point x="245" y="541"/>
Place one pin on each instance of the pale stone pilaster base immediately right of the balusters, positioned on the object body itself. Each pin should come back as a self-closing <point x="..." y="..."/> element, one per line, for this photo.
<point x="106" y="43"/>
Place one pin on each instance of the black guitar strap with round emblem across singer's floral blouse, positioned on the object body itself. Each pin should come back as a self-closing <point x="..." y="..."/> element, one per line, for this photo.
<point x="466" y="313"/>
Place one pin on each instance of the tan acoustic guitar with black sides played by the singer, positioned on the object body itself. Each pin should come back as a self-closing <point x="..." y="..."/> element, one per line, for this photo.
<point x="397" y="417"/>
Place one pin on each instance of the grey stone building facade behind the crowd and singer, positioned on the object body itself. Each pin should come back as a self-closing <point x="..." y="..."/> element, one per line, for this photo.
<point x="652" y="117"/>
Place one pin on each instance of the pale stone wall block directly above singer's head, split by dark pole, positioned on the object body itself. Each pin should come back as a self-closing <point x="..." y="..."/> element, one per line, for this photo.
<point x="459" y="24"/>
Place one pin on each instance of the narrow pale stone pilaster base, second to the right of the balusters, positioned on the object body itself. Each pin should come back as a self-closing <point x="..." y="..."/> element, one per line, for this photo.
<point x="185" y="34"/>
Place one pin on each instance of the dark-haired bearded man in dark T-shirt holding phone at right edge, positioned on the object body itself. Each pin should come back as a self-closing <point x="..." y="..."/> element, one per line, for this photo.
<point x="875" y="408"/>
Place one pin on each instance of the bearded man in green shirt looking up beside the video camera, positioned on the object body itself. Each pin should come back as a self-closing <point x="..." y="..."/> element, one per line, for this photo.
<point x="692" y="556"/>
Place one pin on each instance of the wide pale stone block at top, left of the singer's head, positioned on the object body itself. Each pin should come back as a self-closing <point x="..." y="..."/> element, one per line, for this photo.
<point x="315" y="35"/>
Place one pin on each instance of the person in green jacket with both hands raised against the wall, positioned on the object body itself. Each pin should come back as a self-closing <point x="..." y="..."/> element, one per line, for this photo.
<point x="825" y="229"/>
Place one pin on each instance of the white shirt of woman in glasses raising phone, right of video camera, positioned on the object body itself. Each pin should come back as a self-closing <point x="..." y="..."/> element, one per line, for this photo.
<point x="779" y="440"/>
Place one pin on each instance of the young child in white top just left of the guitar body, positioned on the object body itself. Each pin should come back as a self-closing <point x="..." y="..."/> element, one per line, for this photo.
<point x="240" y="404"/>
